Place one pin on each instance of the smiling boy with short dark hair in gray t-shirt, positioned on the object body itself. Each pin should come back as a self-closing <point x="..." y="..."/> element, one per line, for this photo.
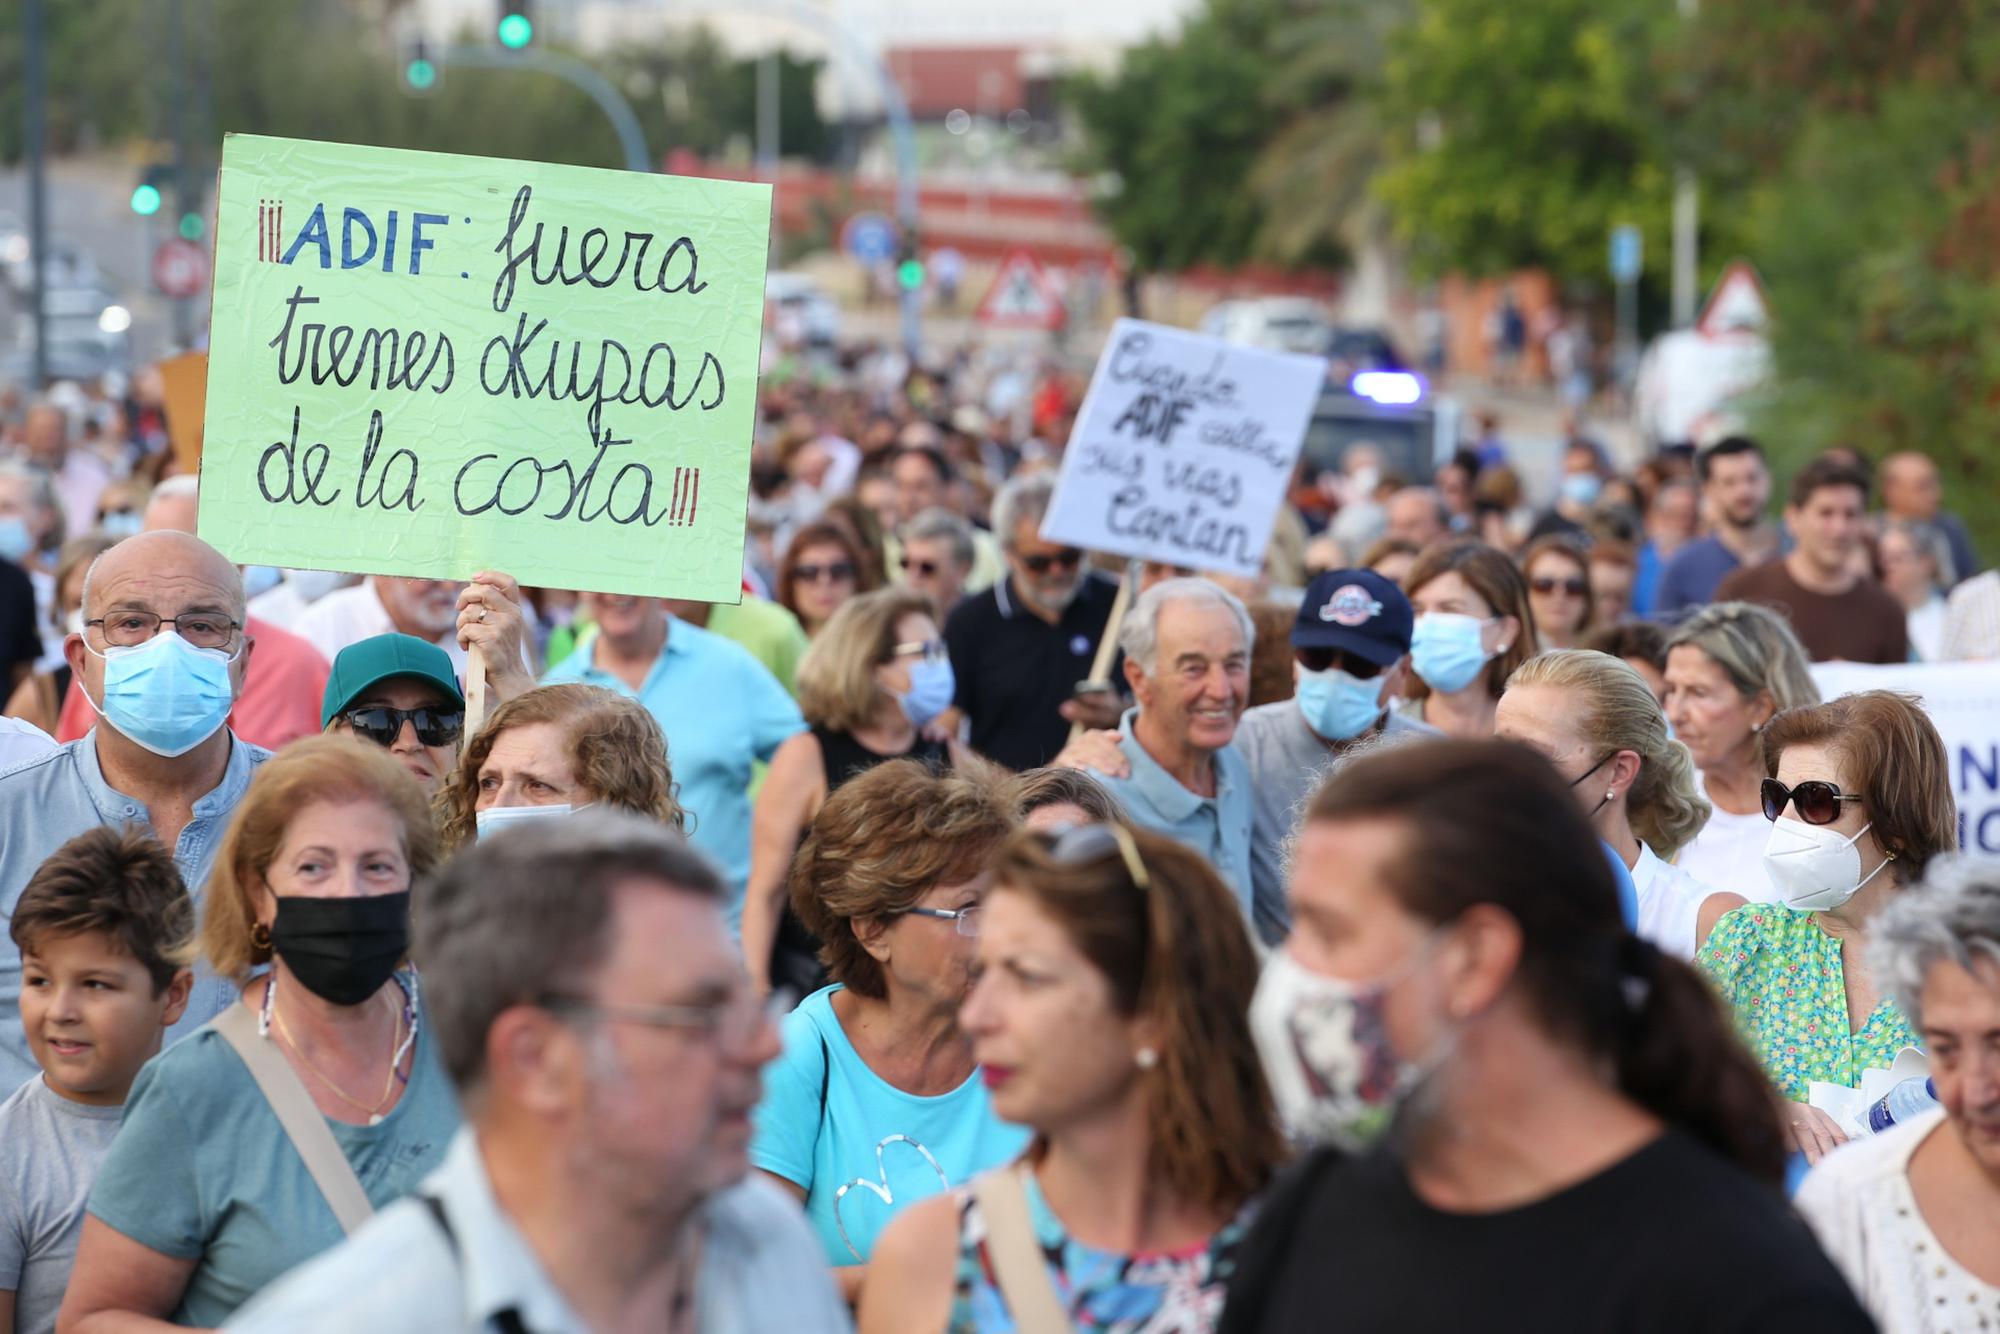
<point x="101" y="929"/>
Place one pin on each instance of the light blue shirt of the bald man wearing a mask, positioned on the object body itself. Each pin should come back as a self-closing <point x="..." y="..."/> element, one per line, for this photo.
<point x="59" y="795"/>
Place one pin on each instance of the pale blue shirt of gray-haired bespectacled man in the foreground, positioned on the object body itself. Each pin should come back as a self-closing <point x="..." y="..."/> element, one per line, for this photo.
<point x="401" y="1275"/>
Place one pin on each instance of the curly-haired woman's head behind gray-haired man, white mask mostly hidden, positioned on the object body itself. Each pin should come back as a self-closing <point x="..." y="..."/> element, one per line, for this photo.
<point x="555" y="751"/>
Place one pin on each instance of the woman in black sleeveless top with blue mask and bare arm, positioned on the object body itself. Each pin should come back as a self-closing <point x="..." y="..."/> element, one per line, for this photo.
<point x="869" y="687"/>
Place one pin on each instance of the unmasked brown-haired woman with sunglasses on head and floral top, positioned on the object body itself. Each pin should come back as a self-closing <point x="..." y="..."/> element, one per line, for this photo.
<point x="1111" y="1017"/>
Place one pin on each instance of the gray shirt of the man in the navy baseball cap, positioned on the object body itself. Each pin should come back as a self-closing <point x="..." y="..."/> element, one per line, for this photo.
<point x="1287" y="761"/>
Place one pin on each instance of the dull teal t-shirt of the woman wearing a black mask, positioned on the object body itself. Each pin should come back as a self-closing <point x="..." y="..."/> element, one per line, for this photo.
<point x="203" y="1171"/>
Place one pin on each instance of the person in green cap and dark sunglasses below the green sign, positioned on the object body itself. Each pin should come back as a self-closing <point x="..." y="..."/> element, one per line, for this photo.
<point x="399" y="693"/>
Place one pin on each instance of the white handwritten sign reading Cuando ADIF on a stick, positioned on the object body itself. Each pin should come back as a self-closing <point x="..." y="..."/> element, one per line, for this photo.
<point x="1183" y="449"/>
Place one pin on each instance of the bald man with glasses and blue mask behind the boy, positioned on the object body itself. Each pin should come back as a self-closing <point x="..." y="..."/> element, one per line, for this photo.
<point x="161" y="659"/>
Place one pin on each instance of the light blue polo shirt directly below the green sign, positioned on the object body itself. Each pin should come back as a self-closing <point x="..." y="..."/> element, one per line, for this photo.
<point x="721" y="711"/>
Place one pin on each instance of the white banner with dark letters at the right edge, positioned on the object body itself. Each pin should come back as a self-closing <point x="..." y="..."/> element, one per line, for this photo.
<point x="1965" y="707"/>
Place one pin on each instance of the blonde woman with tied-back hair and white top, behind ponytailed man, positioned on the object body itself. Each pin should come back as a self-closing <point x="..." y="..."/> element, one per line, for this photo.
<point x="1601" y="727"/>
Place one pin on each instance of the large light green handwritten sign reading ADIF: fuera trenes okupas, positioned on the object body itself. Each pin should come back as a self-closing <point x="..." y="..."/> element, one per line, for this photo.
<point x="433" y="365"/>
